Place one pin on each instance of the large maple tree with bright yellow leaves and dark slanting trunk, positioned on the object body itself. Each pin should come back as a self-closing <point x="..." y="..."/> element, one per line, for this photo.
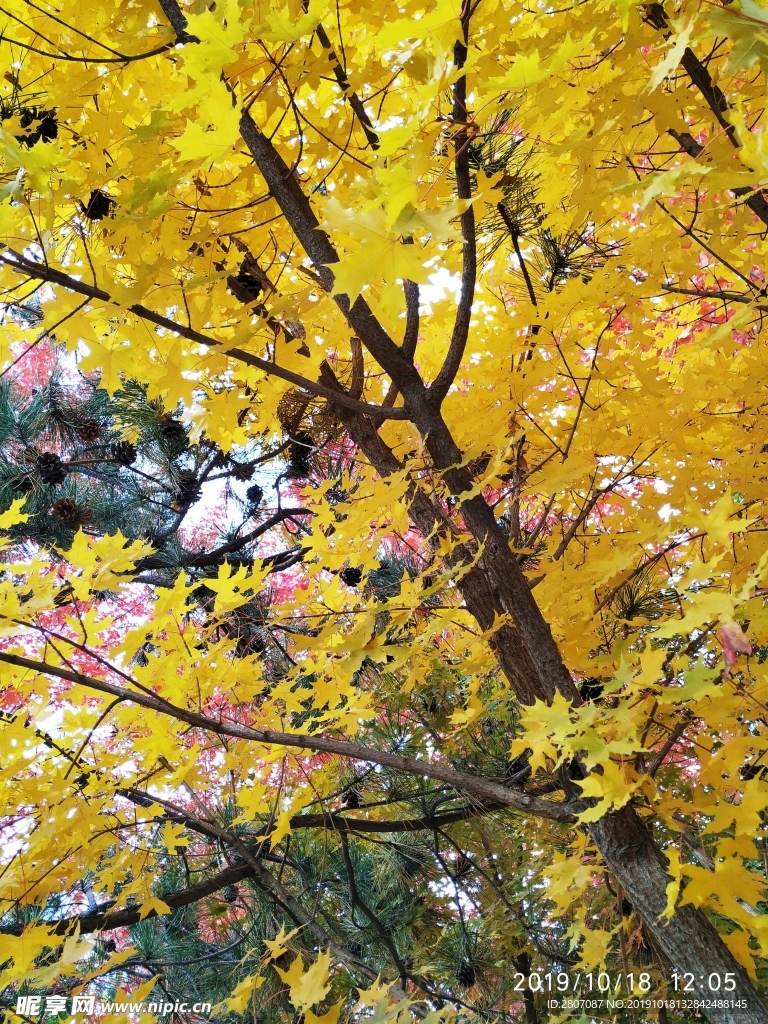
<point x="502" y="268"/>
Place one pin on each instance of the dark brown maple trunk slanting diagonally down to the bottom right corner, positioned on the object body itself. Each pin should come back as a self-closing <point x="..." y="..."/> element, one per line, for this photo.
<point x="528" y="654"/>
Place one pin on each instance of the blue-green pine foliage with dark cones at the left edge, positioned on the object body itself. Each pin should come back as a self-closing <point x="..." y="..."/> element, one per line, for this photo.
<point x="82" y="460"/>
